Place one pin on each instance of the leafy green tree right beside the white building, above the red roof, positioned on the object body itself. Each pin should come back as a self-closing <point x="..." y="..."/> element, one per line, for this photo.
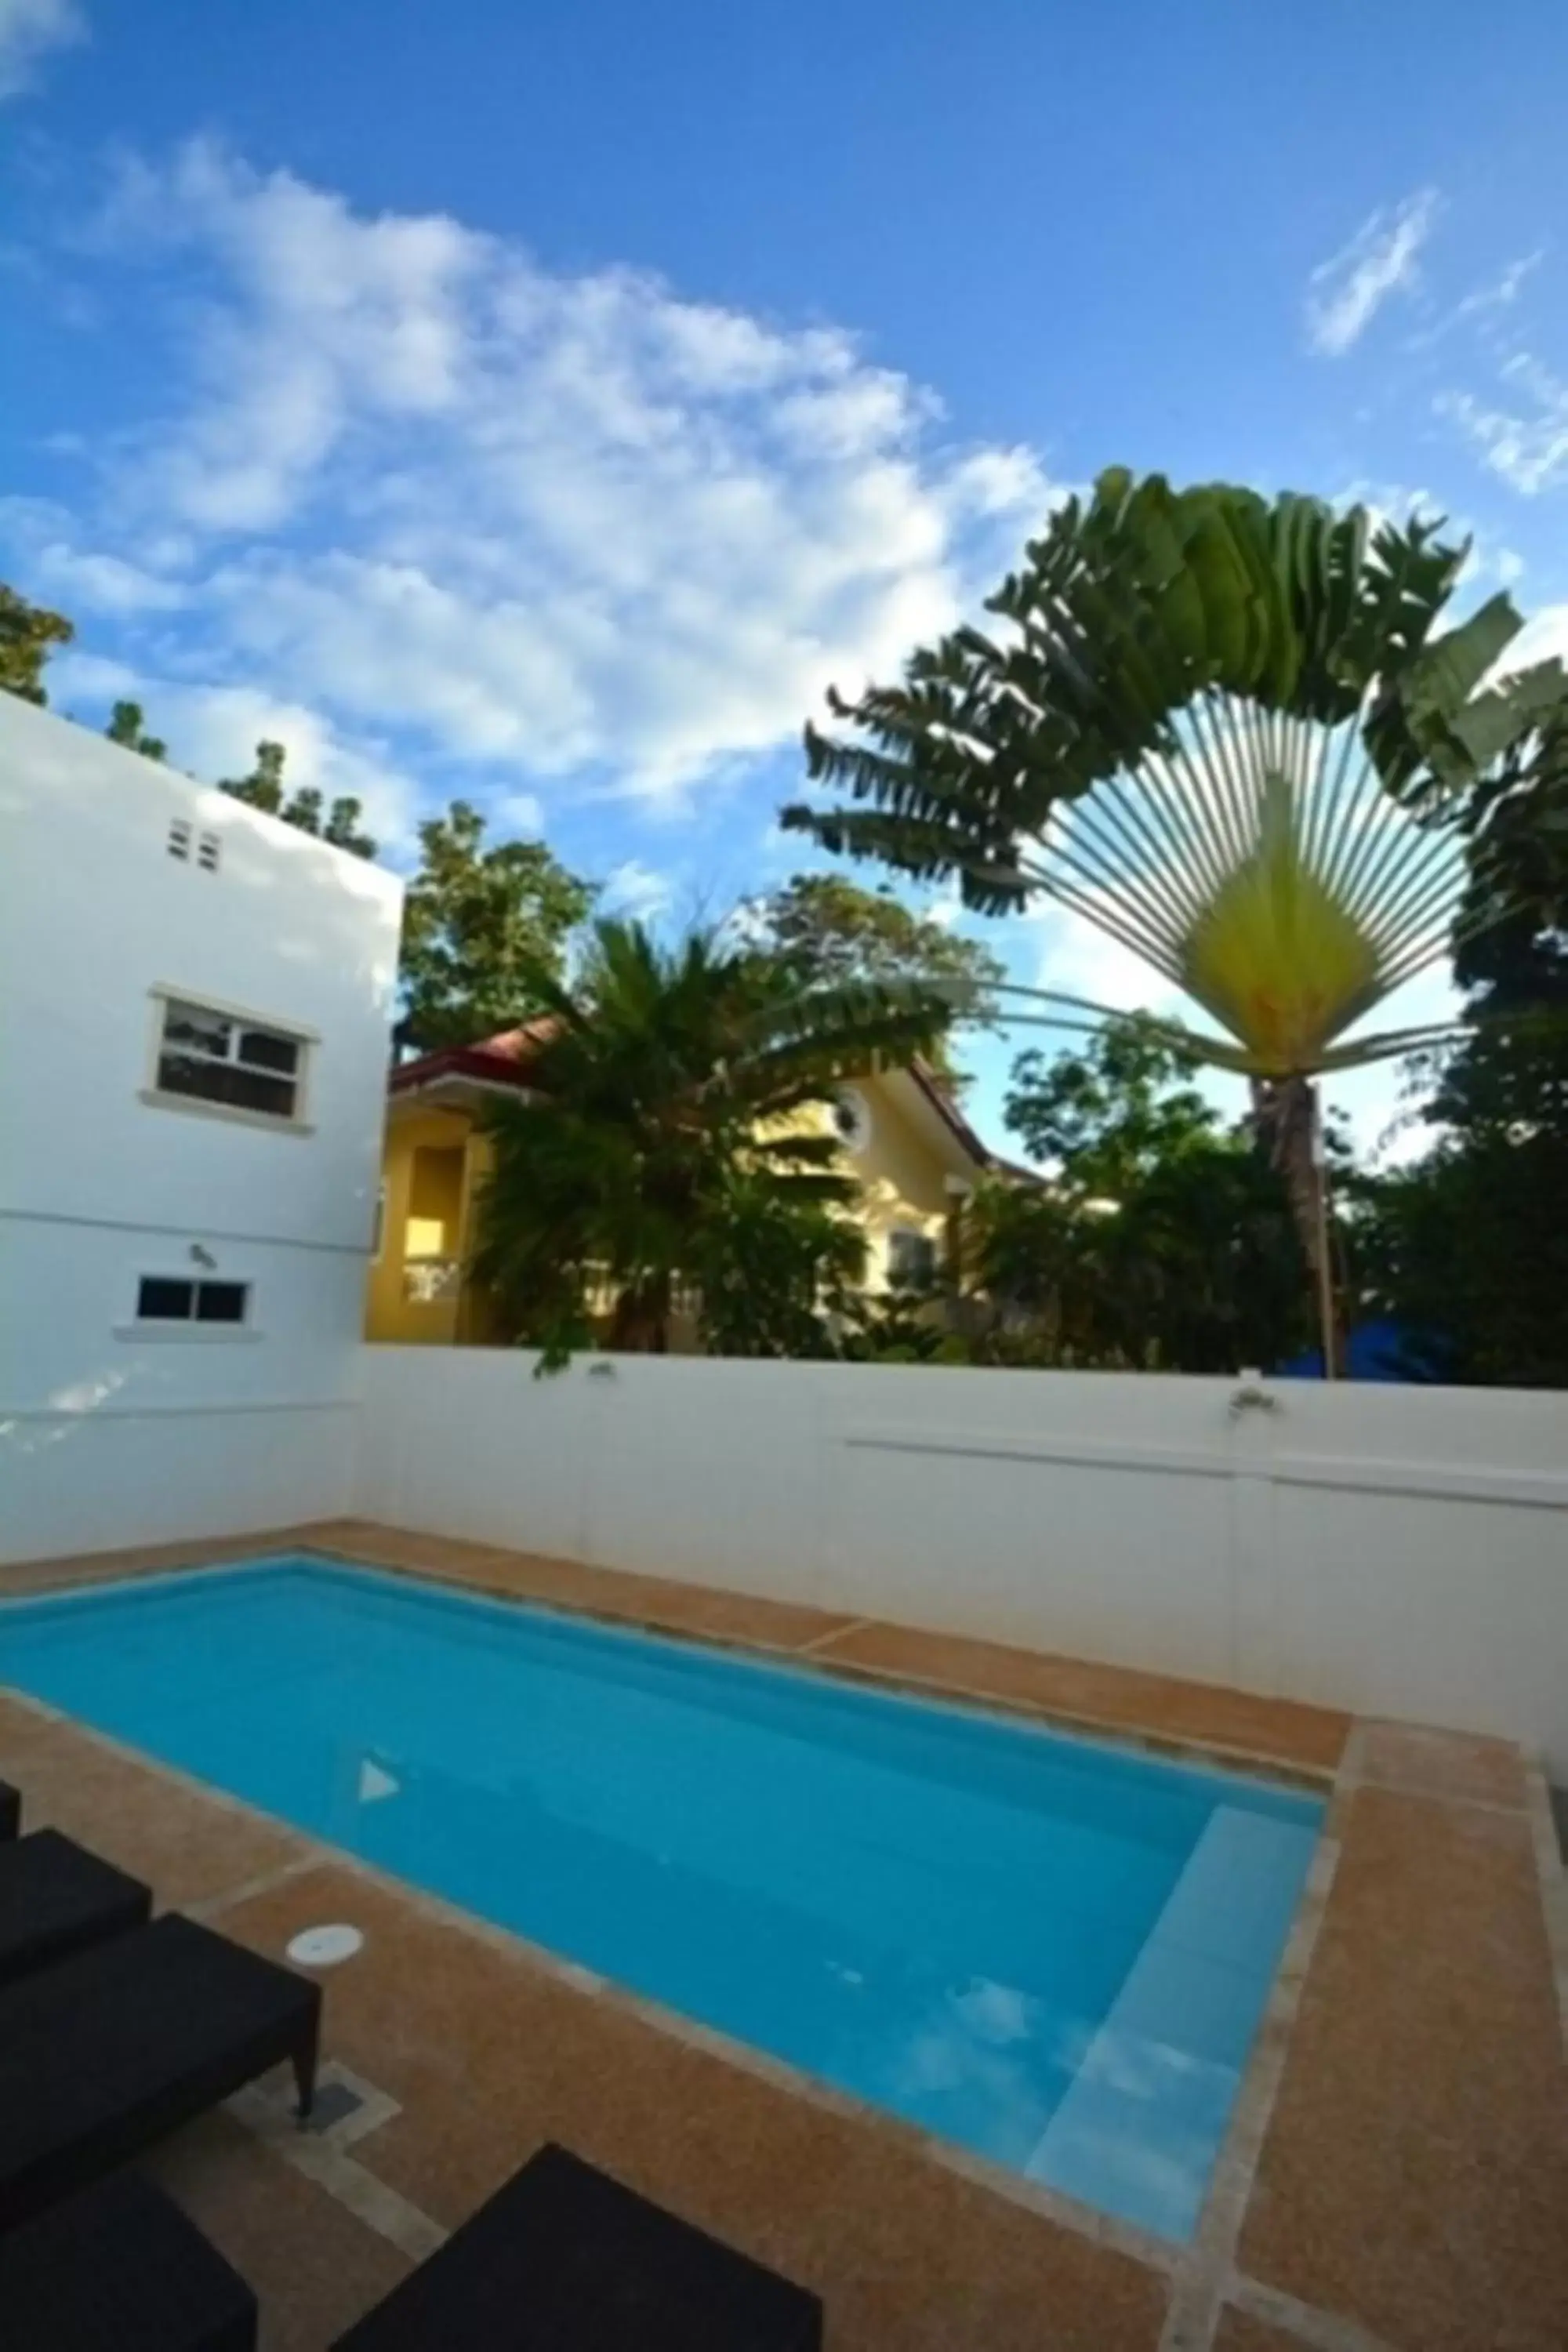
<point x="485" y="930"/>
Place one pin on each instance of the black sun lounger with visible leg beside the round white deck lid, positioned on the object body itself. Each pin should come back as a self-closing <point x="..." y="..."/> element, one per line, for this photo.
<point x="112" y="2050"/>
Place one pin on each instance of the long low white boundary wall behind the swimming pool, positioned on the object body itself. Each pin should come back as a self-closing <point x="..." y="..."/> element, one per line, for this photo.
<point x="1393" y="1551"/>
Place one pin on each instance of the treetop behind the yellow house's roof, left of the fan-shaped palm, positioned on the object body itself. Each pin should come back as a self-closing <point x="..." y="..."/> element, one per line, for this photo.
<point x="838" y="933"/>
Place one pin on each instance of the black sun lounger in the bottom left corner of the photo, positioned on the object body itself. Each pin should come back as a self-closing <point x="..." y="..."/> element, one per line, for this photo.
<point x="121" y="2271"/>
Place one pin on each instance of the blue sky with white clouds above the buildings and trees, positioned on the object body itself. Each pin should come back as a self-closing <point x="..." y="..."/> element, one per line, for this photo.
<point x="547" y="403"/>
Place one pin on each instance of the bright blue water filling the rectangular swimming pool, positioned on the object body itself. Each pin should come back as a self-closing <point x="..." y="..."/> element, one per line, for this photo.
<point x="1045" y="1949"/>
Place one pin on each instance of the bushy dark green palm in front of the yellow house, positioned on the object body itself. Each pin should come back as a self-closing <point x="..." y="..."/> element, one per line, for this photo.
<point x="664" y="1147"/>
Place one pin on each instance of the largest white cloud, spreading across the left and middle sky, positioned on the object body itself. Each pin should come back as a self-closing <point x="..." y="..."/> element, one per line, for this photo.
<point x="547" y="523"/>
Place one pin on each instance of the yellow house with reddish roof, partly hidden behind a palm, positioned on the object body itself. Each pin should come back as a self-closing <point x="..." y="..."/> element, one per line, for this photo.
<point x="909" y="1147"/>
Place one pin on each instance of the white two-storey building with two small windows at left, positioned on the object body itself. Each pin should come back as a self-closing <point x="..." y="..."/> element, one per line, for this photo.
<point x="194" y="1045"/>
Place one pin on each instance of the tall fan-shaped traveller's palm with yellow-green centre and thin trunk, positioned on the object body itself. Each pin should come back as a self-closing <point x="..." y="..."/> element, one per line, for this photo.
<point x="1231" y="735"/>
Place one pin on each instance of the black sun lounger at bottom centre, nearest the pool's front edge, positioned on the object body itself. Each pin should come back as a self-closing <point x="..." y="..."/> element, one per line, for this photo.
<point x="565" y="2259"/>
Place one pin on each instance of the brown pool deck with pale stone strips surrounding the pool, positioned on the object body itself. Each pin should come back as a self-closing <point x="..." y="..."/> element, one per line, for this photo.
<point x="1398" y="2165"/>
